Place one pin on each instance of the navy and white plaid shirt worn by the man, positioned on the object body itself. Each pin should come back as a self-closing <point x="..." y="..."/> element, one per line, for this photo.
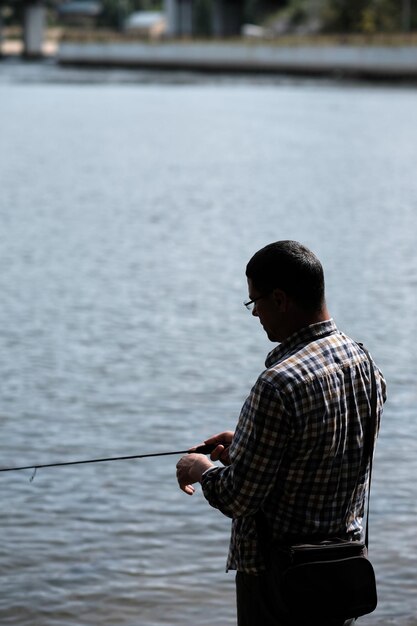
<point x="297" y="452"/>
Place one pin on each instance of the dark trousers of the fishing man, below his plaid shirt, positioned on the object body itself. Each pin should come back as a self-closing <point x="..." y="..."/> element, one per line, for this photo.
<point x="259" y="603"/>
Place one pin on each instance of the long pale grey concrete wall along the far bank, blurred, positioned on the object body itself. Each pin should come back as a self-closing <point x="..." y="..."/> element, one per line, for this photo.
<point x="347" y="60"/>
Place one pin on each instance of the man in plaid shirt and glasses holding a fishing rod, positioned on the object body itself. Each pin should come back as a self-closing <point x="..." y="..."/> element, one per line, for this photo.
<point x="296" y="459"/>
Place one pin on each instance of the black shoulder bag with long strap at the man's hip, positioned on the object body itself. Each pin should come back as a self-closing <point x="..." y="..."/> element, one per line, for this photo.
<point x="332" y="579"/>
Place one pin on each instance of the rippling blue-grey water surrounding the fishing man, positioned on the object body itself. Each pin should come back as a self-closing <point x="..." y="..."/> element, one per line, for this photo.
<point x="130" y="204"/>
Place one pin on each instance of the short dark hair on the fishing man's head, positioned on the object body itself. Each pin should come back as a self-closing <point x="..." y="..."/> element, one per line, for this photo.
<point x="290" y="266"/>
